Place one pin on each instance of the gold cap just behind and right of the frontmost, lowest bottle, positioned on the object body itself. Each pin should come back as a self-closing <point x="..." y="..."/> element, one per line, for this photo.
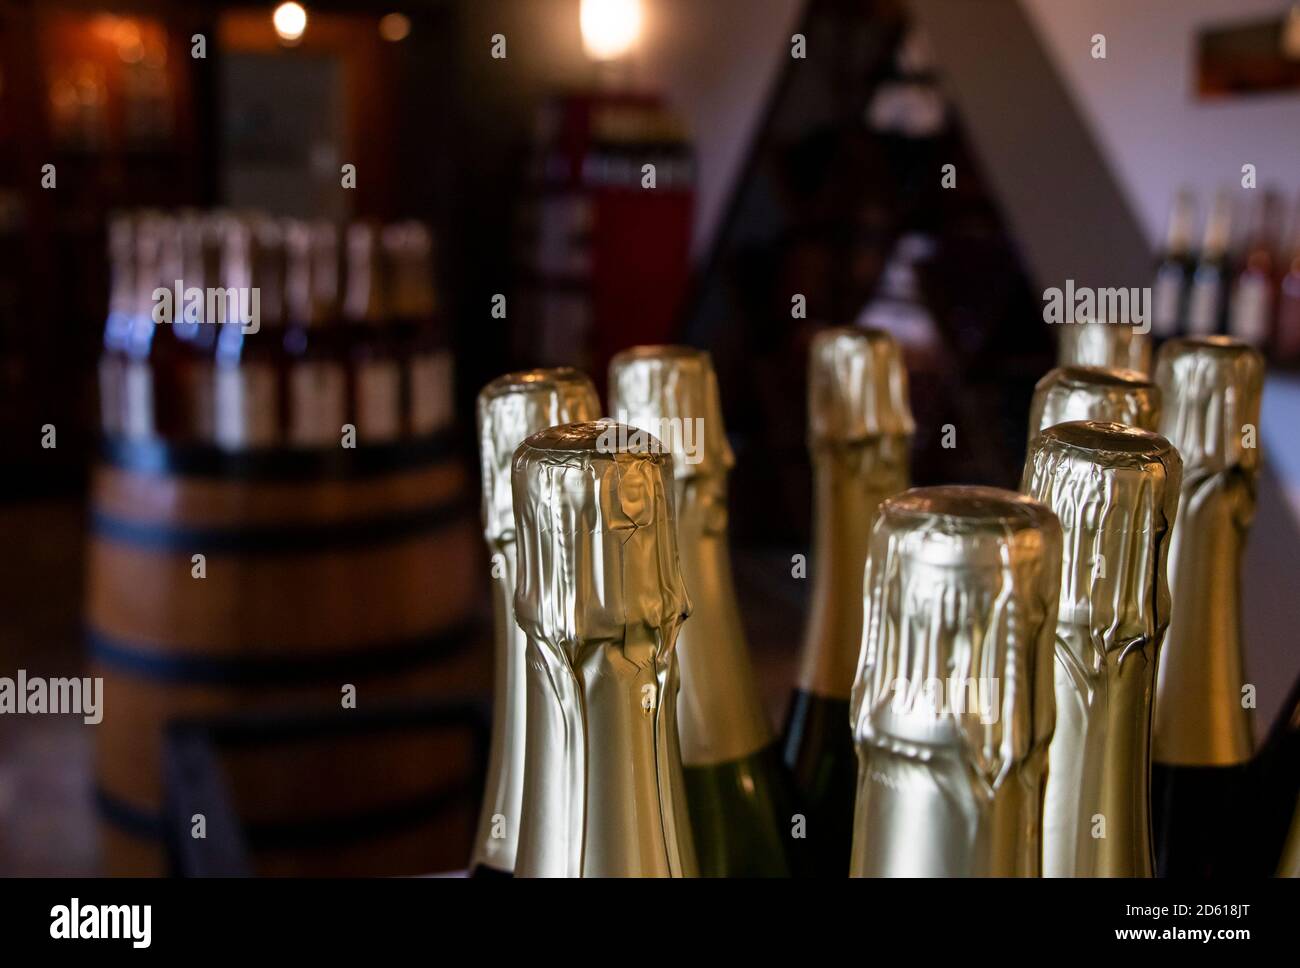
<point x="1115" y="489"/>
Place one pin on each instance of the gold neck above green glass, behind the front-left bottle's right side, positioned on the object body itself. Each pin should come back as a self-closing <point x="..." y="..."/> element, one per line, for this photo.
<point x="721" y="714"/>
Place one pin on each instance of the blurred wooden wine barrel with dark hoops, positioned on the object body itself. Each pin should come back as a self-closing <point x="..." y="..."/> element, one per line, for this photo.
<point x="322" y="571"/>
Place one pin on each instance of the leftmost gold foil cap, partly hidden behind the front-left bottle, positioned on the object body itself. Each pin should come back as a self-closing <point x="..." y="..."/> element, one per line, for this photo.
<point x="512" y="409"/>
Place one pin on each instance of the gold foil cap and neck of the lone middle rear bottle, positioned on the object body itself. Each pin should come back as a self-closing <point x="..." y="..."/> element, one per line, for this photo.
<point x="860" y="439"/>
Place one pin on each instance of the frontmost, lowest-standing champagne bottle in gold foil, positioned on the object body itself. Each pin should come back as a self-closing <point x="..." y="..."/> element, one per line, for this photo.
<point x="954" y="705"/>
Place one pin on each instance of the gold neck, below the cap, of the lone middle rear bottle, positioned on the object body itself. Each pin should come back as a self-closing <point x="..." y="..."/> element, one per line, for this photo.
<point x="851" y="481"/>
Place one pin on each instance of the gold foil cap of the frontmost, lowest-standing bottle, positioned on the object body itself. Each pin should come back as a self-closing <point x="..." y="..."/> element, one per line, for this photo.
<point x="961" y="583"/>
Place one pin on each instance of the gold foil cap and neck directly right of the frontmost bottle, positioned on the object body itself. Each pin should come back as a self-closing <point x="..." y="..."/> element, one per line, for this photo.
<point x="1115" y="489"/>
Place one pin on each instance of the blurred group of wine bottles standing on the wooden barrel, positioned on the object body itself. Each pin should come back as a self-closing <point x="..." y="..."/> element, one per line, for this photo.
<point x="248" y="332"/>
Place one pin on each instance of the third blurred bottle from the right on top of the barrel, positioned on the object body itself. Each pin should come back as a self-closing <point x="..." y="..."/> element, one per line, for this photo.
<point x="317" y="375"/>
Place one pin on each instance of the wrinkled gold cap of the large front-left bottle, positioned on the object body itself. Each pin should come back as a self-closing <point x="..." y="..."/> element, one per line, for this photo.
<point x="597" y="540"/>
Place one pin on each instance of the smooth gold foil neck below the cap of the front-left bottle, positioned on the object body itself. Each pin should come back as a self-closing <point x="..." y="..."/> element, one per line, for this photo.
<point x="604" y="788"/>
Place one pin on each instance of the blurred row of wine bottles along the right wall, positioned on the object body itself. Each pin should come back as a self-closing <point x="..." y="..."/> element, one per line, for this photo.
<point x="1238" y="274"/>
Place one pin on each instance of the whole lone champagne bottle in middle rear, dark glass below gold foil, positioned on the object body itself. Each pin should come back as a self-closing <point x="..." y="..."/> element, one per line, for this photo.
<point x="860" y="435"/>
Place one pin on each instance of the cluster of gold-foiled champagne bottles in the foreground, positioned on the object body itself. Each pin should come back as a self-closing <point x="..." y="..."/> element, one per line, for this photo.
<point x="994" y="684"/>
